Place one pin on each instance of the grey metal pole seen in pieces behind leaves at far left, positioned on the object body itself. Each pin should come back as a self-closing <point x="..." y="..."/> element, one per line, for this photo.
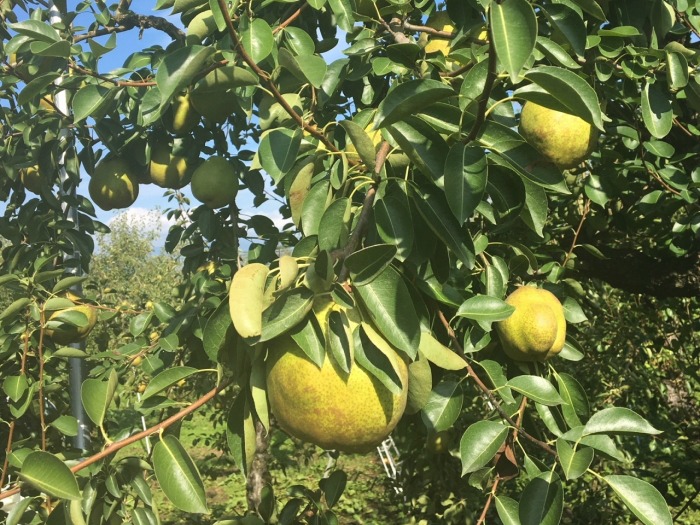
<point x="76" y="365"/>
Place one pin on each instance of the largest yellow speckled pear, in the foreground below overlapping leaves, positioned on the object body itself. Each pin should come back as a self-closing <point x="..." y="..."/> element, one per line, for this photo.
<point x="348" y="412"/>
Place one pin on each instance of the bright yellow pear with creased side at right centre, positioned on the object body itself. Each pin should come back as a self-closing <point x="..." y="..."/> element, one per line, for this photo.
<point x="536" y="330"/>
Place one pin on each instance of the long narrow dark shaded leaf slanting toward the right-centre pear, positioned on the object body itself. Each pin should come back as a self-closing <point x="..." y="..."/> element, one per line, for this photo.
<point x="435" y="212"/>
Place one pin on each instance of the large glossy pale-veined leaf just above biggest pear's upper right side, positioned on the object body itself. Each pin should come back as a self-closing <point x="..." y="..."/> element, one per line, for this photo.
<point x="390" y="307"/>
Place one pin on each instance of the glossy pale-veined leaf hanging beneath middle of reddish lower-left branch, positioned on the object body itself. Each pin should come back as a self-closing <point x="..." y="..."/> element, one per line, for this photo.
<point x="178" y="476"/>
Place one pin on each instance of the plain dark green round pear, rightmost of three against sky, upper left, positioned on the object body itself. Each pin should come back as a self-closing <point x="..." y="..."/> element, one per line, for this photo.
<point x="215" y="182"/>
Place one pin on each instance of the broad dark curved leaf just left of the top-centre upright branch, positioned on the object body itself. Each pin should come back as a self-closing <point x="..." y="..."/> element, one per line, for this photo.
<point x="409" y="98"/>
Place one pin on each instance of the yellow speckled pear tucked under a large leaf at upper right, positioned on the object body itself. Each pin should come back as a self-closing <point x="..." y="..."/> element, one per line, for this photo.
<point x="564" y="139"/>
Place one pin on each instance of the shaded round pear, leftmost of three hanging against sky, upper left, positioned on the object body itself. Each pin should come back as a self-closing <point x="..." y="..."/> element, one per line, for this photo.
<point x="112" y="185"/>
